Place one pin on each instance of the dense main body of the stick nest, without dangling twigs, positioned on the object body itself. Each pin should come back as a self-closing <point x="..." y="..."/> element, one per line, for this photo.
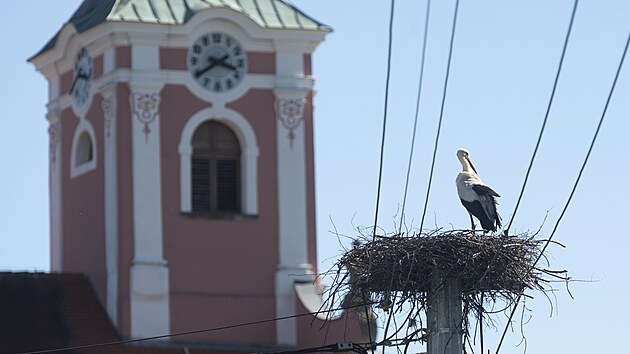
<point x="482" y="263"/>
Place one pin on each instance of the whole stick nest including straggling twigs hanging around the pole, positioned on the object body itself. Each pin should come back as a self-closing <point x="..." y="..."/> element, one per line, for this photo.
<point x="394" y="274"/>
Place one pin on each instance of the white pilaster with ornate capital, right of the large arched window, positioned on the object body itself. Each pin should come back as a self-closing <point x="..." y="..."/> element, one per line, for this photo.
<point x="292" y="208"/>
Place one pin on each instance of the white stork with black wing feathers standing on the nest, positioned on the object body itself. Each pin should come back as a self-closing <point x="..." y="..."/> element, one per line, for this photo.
<point x="476" y="197"/>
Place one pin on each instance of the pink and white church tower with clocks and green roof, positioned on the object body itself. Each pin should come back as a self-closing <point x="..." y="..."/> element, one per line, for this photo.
<point x="181" y="166"/>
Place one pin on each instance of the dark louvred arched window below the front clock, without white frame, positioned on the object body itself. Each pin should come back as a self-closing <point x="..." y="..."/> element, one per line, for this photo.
<point x="215" y="169"/>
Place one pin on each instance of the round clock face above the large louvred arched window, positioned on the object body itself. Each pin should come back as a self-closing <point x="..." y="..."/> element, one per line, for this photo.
<point x="217" y="62"/>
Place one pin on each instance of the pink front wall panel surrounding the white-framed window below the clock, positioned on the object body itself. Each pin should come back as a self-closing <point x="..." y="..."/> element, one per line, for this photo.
<point x="222" y="271"/>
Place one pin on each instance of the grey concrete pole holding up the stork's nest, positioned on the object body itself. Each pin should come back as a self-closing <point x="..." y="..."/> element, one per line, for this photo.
<point x="444" y="316"/>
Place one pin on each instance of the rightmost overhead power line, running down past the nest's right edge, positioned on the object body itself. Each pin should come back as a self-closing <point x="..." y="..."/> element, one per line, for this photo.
<point x="577" y="181"/>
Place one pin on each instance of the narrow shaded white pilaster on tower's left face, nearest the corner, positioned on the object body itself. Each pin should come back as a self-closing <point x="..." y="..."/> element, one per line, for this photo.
<point x="111" y="201"/>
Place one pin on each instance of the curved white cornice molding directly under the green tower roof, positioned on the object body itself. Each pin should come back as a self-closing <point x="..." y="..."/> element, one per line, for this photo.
<point x="112" y="34"/>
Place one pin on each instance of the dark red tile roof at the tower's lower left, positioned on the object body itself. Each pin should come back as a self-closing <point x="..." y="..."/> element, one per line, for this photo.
<point x="45" y="311"/>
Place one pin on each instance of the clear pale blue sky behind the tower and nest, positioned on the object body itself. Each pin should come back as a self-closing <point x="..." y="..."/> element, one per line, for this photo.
<point x="504" y="62"/>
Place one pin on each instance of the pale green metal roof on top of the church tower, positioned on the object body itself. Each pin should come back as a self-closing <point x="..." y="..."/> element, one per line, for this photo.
<point x="276" y="14"/>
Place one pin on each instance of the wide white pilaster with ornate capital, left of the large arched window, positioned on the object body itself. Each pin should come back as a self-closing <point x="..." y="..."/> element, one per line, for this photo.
<point x="149" y="282"/>
